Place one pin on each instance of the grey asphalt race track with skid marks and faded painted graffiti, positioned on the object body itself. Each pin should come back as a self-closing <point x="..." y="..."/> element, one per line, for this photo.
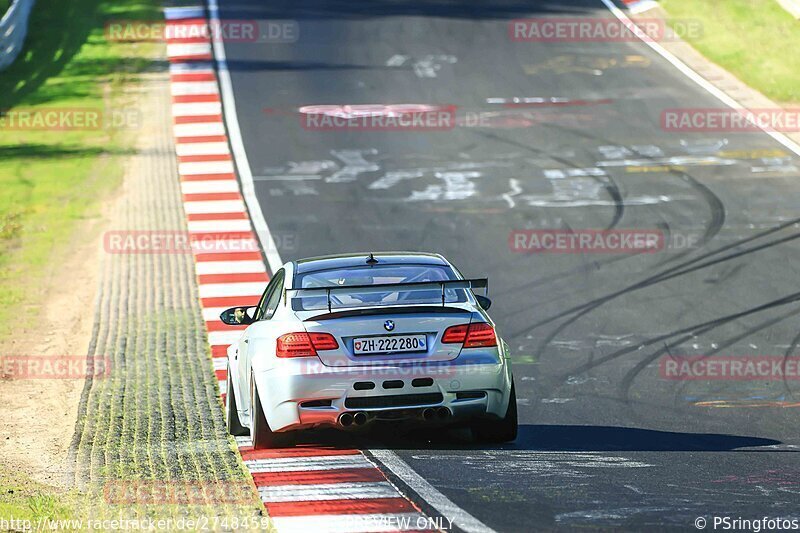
<point x="605" y="441"/>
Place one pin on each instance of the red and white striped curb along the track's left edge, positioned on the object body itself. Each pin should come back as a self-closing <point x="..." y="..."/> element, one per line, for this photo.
<point x="303" y="488"/>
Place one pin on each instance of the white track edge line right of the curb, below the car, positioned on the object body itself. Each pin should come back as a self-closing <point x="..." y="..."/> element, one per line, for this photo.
<point x="427" y="492"/>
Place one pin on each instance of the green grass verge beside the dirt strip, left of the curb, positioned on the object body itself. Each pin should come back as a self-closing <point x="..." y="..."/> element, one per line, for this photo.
<point x="53" y="179"/>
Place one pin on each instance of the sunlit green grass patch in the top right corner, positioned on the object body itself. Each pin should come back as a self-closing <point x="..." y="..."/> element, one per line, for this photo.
<point x="756" y="40"/>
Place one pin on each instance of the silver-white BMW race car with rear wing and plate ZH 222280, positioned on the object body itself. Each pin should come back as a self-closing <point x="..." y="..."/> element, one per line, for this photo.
<point x="350" y="340"/>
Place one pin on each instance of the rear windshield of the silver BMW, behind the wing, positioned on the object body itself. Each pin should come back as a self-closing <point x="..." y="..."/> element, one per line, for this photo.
<point x="376" y="275"/>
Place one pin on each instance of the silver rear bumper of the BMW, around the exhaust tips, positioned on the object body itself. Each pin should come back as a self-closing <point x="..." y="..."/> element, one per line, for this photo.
<point x="304" y="393"/>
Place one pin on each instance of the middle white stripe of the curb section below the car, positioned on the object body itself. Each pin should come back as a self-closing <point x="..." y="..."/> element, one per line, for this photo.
<point x="327" y="491"/>
